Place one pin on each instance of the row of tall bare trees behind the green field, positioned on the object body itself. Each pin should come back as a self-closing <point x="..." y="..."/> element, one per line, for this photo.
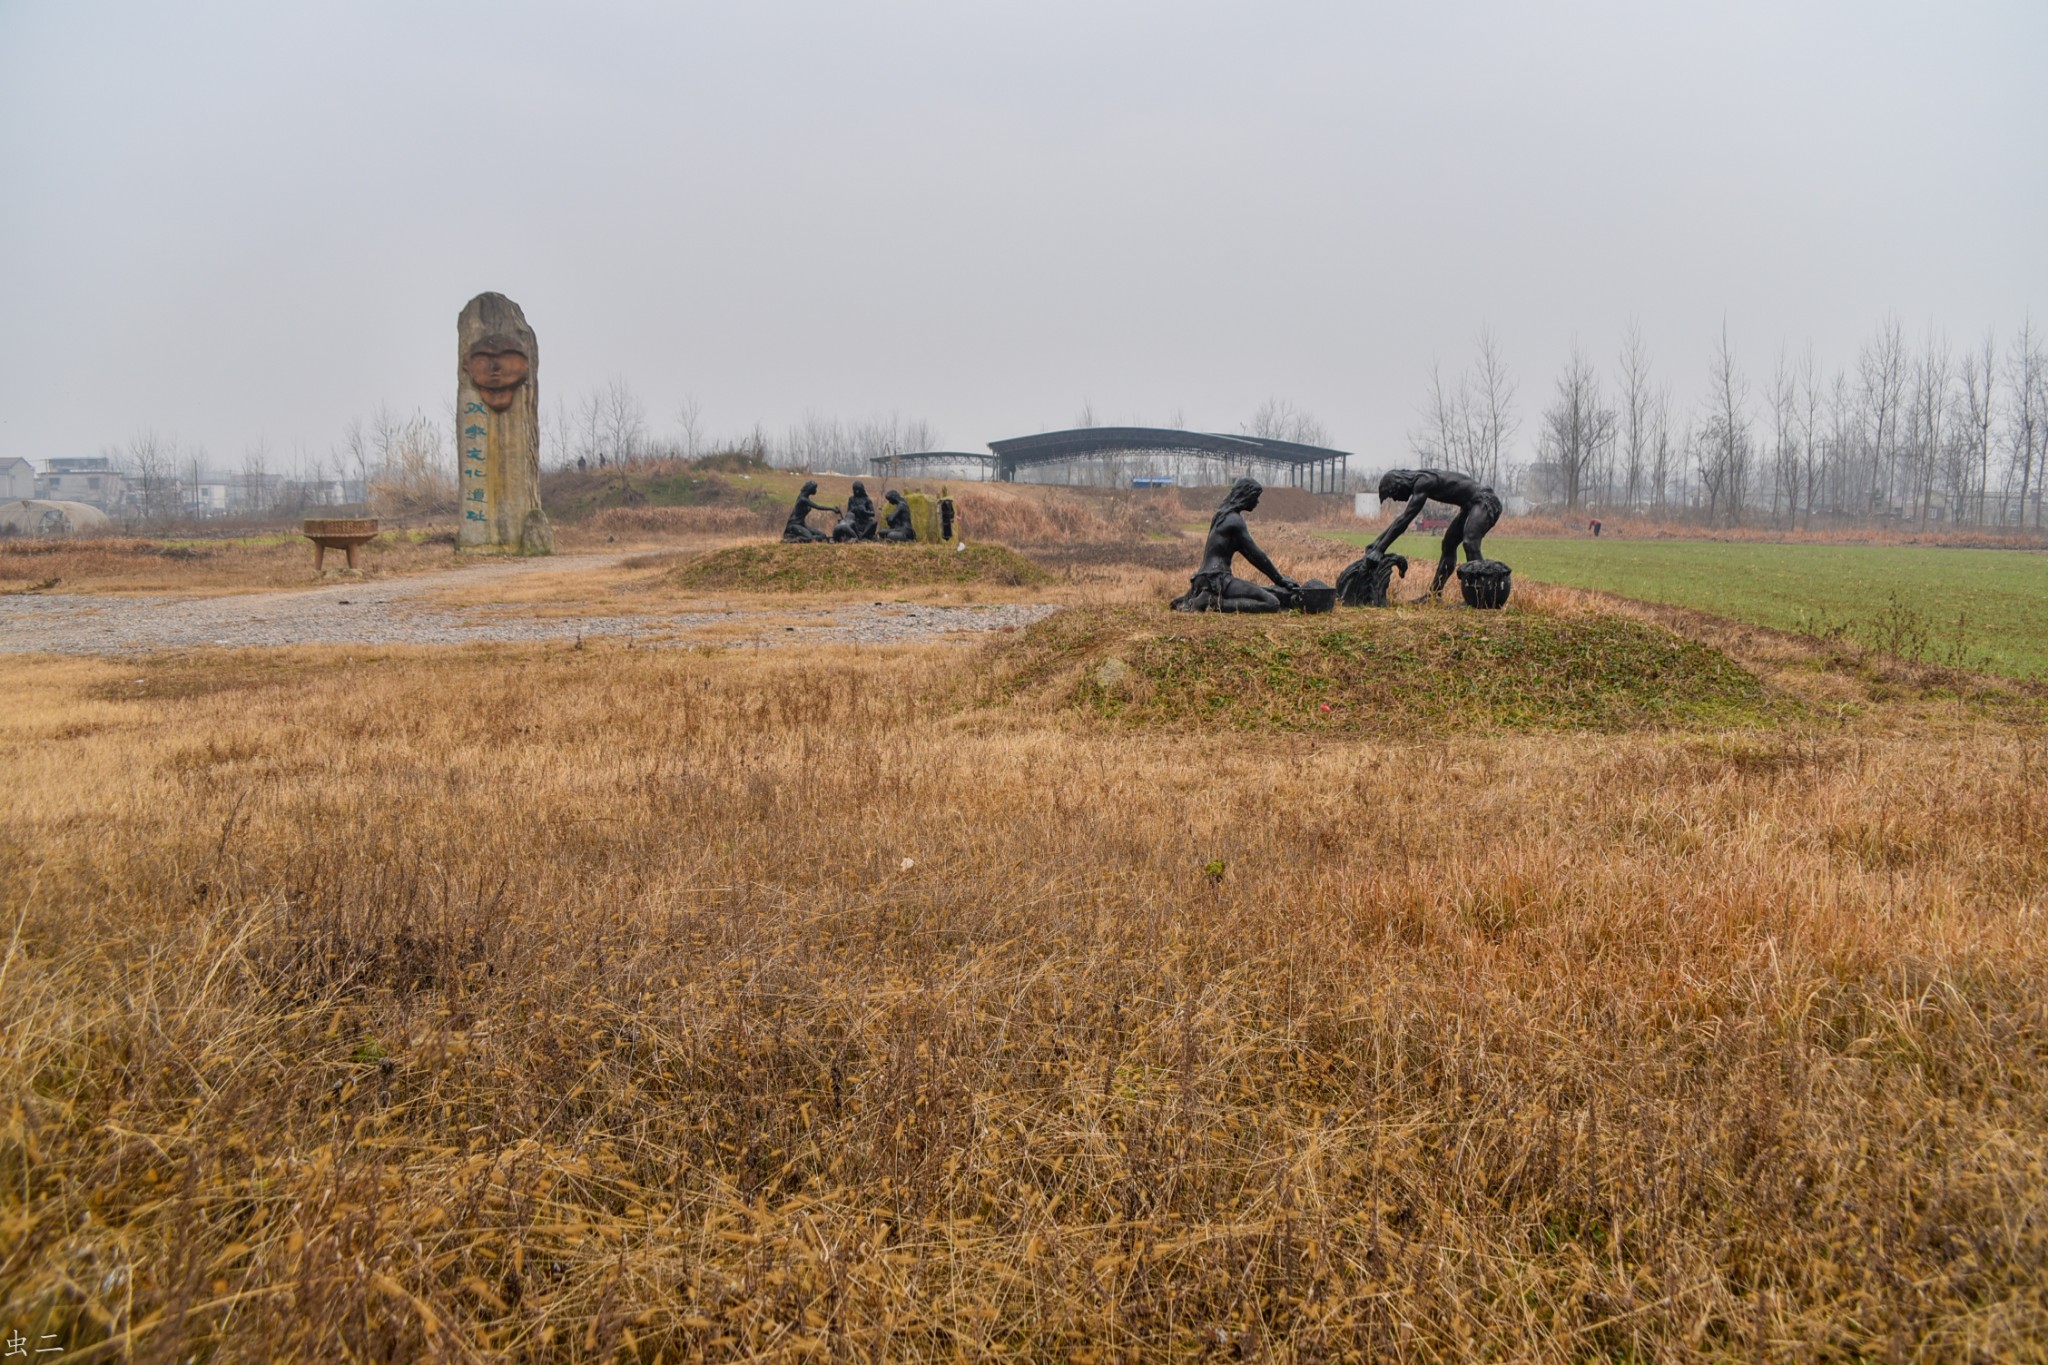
<point x="1906" y="435"/>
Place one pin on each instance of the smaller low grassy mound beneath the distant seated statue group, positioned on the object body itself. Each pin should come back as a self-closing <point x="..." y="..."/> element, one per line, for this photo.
<point x="849" y="568"/>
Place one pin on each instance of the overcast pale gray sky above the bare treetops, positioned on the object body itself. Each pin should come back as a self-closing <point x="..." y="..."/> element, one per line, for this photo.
<point x="243" y="222"/>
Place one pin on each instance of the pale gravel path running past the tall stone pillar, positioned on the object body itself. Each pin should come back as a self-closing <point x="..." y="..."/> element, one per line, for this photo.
<point x="404" y="613"/>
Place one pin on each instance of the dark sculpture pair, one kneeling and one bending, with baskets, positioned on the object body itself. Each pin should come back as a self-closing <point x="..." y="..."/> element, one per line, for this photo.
<point x="1365" y="582"/>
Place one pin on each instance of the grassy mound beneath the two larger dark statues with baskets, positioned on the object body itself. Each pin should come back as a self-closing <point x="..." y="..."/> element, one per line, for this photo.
<point x="1377" y="670"/>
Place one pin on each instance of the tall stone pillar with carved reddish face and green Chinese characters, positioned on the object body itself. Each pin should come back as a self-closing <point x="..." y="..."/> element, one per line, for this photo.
<point x="499" y="431"/>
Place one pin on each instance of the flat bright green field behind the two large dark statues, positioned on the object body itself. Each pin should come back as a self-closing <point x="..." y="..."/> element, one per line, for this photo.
<point x="1895" y="599"/>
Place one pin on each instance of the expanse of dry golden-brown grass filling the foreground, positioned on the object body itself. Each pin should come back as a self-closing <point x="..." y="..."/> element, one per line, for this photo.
<point x="607" y="1004"/>
